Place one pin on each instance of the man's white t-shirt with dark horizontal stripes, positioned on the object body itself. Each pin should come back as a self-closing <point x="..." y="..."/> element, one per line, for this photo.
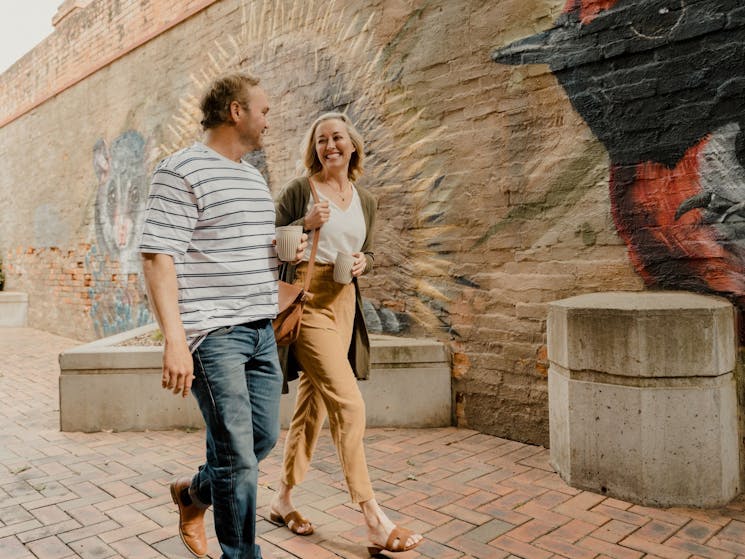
<point x="216" y="218"/>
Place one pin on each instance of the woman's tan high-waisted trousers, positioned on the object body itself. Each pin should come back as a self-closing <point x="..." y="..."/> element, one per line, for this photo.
<point x="327" y="385"/>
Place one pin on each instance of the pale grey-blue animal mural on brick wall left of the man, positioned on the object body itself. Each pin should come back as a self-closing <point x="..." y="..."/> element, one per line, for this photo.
<point x="117" y="292"/>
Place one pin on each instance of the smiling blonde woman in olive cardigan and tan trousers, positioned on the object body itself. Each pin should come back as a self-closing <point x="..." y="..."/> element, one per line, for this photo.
<point x="333" y="347"/>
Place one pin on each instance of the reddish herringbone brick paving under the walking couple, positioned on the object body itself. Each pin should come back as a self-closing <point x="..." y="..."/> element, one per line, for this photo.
<point x="105" y="495"/>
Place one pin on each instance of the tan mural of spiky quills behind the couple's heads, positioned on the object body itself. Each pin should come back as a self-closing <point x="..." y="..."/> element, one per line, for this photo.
<point x="327" y="45"/>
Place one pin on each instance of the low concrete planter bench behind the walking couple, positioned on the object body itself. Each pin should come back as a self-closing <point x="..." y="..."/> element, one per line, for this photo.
<point x="105" y="386"/>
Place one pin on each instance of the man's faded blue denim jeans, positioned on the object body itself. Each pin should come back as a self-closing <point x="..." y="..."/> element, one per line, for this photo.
<point x="237" y="384"/>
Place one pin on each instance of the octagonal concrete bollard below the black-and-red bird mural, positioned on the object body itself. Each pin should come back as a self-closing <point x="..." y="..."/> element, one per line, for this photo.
<point x="642" y="396"/>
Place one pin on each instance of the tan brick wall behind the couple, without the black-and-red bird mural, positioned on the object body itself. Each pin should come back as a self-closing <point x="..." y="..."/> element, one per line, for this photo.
<point x="493" y="187"/>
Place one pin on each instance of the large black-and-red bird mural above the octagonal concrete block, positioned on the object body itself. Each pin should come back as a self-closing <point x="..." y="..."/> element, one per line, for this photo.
<point x="662" y="85"/>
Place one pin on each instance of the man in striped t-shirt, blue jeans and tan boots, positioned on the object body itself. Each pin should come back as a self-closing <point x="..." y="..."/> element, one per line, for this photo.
<point x="211" y="274"/>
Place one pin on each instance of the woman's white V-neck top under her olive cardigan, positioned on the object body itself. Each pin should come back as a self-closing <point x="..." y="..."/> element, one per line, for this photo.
<point x="345" y="231"/>
